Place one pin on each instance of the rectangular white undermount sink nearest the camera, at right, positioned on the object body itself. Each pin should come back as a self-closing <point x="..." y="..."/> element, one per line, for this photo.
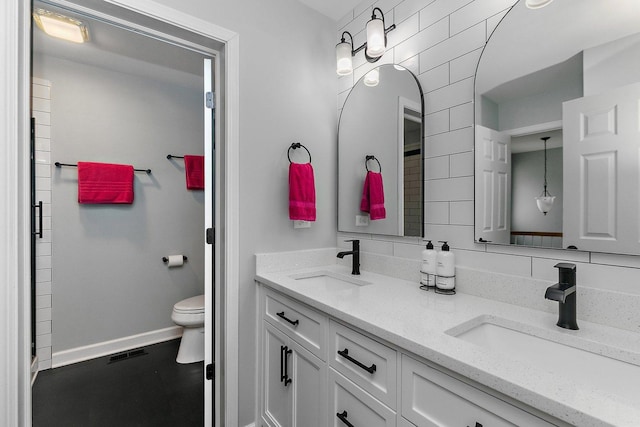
<point x="613" y="371"/>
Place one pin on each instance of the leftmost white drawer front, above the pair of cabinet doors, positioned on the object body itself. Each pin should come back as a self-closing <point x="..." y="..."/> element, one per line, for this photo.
<point x="306" y="326"/>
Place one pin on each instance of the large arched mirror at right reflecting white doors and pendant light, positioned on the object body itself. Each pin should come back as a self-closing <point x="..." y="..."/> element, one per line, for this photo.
<point x="557" y="110"/>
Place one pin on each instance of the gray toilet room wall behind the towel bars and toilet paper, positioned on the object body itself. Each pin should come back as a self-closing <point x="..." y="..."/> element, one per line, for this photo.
<point x="108" y="277"/>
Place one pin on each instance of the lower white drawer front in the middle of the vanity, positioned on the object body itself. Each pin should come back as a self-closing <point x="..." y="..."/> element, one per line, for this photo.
<point x="349" y="405"/>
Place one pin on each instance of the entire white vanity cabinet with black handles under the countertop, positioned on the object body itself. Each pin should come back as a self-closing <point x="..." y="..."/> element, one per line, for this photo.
<point x="319" y="371"/>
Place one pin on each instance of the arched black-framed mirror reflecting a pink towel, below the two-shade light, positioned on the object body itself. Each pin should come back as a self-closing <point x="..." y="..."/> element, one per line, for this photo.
<point x="381" y="130"/>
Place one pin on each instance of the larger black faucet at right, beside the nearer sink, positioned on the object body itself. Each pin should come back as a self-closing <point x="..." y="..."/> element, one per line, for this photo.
<point x="565" y="293"/>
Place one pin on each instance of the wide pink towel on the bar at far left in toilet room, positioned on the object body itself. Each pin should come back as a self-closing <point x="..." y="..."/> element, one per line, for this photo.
<point x="104" y="183"/>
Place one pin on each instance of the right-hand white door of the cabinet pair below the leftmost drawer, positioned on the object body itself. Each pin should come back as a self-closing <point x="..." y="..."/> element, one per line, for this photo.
<point x="308" y="387"/>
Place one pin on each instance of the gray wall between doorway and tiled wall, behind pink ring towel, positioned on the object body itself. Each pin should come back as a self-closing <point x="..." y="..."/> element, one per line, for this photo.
<point x="287" y="94"/>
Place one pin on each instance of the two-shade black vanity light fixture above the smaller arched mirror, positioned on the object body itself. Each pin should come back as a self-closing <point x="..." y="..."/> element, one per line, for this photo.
<point x="374" y="47"/>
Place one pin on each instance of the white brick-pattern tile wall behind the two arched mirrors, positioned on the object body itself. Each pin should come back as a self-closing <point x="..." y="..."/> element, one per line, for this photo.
<point x="441" y="41"/>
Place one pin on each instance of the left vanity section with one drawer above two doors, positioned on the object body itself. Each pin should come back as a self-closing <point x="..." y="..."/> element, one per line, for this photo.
<point x="293" y="379"/>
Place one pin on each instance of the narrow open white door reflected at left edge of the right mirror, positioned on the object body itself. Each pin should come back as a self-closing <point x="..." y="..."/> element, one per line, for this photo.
<point x="493" y="186"/>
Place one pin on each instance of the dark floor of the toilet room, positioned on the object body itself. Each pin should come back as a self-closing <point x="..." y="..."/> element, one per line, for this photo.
<point x="147" y="390"/>
